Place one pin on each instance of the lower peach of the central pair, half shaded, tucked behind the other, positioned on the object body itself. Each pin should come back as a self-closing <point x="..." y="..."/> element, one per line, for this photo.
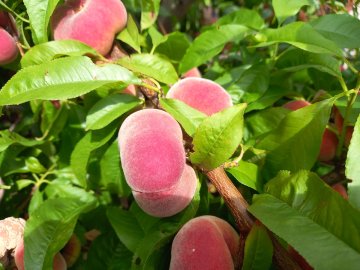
<point x="169" y="202"/>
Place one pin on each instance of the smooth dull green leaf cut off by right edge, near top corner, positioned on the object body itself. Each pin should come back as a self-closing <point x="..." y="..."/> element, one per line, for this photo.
<point x="342" y="29"/>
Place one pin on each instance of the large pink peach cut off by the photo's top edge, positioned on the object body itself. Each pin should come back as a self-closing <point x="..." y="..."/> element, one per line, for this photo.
<point x="93" y="22"/>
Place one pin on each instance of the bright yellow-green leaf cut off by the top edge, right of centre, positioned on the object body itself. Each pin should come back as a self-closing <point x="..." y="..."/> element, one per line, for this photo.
<point x="287" y="8"/>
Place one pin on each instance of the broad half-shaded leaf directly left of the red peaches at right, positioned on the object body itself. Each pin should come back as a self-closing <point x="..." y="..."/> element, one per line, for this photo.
<point x="295" y="143"/>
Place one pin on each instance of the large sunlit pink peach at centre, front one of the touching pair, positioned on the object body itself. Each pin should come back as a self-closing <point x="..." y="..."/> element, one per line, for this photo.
<point x="151" y="151"/>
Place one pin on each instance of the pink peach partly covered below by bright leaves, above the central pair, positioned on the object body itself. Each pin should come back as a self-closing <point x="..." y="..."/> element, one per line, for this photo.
<point x="201" y="94"/>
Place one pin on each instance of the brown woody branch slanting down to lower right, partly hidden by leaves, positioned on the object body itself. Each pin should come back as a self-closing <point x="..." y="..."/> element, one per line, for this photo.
<point x="238" y="207"/>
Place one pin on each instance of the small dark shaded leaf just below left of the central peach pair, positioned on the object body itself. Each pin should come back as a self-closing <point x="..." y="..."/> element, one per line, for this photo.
<point x="126" y="227"/>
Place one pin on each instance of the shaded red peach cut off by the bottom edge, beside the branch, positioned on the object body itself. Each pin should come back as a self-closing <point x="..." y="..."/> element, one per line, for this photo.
<point x="205" y="242"/>
